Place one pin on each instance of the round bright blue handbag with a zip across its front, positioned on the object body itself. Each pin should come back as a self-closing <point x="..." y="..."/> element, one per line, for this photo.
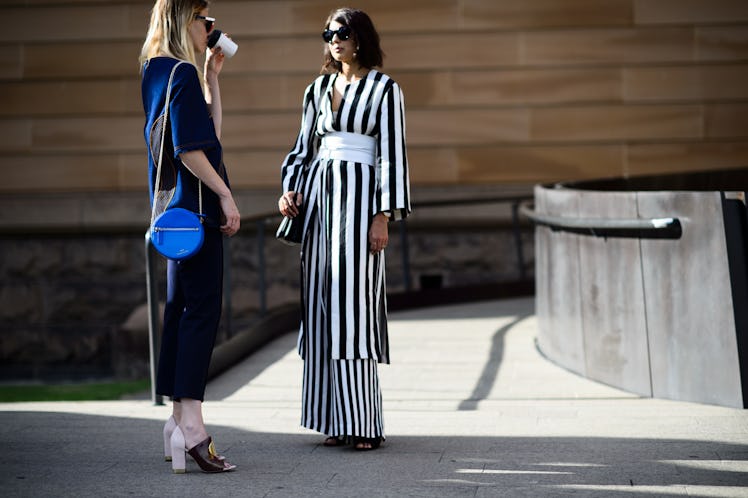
<point x="177" y="233"/>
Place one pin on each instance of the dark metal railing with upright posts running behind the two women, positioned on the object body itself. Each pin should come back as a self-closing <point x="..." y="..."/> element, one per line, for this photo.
<point x="261" y="221"/>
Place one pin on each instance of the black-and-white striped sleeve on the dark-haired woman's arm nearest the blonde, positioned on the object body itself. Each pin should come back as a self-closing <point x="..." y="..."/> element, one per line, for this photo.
<point x="305" y="146"/>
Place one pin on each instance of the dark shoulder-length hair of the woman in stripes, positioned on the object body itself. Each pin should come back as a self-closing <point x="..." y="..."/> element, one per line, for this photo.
<point x="369" y="53"/>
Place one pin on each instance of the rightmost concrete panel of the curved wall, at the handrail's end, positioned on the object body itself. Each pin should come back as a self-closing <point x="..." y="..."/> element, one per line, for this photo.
<point x="693" y="346"/>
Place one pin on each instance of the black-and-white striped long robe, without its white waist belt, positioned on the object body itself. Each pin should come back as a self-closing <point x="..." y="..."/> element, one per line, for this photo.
<point x="343" y="285"/>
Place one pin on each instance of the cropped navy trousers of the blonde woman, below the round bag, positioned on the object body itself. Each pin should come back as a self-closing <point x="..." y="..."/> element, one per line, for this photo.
<point x="193" y="309"/>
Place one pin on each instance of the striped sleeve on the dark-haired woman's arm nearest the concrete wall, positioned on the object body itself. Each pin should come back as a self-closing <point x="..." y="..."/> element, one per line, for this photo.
<point x="393" y="193"/>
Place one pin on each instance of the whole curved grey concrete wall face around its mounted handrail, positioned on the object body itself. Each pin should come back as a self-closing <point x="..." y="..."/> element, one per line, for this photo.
<point x="650" y="315"/>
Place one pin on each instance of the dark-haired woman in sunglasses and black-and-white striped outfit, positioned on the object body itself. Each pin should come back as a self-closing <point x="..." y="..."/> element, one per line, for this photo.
<point x="347" y="174"/>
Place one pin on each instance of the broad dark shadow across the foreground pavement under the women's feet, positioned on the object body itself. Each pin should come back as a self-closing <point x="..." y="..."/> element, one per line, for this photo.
<point x="64" y="454"/>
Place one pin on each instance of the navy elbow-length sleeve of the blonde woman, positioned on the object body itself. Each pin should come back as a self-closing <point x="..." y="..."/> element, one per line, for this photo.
<point x="191" y="125"/>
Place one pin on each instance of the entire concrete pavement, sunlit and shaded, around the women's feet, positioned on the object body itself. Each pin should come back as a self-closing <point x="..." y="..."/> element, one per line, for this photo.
<point x="471" y="409"/>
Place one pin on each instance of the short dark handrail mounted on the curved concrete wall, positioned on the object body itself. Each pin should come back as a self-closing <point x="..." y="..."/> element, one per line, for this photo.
<point x="666" y="228"/>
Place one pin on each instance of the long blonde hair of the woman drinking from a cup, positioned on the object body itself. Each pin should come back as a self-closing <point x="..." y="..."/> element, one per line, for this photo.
<point x="168" y="33"/>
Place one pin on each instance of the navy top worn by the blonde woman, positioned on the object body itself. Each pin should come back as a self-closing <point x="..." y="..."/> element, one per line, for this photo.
<point x="191" y="127"/>
